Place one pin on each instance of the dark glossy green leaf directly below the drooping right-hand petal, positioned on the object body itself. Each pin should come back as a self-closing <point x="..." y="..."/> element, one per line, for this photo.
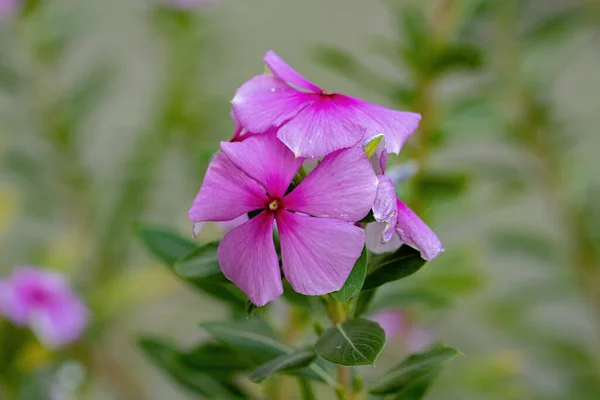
<point x="391" y="267"/>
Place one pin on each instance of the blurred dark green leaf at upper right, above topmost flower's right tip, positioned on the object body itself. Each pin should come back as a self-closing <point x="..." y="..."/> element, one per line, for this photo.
<point x="455" y="56"/>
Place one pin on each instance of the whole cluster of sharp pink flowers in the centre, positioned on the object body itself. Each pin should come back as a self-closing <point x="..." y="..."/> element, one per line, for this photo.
<point x="282" y="122"/>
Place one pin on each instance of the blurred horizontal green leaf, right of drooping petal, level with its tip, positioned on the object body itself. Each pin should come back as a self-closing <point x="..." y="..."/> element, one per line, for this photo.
<point x="530" y="244"/>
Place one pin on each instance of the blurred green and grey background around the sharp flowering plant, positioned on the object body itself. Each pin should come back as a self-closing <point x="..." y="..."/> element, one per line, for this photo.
<point x="110" y="111"/>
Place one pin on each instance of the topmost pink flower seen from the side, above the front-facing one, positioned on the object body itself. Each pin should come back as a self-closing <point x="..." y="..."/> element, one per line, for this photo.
<point x="313" y="122"/>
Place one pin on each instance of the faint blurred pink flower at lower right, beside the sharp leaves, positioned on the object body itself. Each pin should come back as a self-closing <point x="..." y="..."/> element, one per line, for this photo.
<point x="397" y="326"/>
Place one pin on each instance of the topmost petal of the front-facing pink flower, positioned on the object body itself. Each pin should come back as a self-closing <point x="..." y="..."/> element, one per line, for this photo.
<point x="265" y="159"/>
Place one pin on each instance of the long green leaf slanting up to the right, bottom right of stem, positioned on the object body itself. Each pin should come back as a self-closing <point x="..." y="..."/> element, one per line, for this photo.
<point x="416" y="366"/>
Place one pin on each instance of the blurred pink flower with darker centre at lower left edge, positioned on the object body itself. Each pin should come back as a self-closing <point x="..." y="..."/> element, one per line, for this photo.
<point x="43" y="300"/>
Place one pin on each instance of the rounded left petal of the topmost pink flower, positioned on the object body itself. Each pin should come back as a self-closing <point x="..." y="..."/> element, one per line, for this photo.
<point x="266" y="101"/>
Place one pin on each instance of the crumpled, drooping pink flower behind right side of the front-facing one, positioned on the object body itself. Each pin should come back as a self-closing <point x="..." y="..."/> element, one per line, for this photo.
<point x="392" y="215"/>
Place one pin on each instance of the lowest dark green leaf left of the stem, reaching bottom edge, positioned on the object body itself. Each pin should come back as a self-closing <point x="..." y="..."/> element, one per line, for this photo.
<point x="168" y="358"/>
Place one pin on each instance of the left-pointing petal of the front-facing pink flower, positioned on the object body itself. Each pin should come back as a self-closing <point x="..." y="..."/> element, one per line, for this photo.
<point x="226" y="193"/>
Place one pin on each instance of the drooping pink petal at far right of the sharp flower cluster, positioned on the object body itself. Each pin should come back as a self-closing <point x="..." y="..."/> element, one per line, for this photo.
<point x="415" y="233"/>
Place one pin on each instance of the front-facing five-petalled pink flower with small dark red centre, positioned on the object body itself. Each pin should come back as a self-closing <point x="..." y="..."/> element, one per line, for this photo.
<point x="319" y="241"/>
